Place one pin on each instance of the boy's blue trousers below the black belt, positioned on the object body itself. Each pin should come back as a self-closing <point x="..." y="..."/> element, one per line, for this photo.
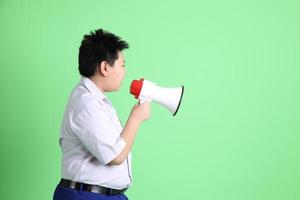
<point x="62" y="193"/>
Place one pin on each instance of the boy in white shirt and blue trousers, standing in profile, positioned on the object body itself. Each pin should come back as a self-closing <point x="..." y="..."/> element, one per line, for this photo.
<point x="96" y="158"/>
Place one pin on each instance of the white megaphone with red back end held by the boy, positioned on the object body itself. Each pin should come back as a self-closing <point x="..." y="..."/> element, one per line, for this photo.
<point x="145" y="90"/>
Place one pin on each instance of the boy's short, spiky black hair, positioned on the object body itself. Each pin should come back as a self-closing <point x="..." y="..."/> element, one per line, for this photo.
<point x="99" y="46"/>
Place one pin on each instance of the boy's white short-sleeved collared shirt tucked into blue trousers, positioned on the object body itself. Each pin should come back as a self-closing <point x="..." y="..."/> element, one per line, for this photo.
<point x="90" y="139"/>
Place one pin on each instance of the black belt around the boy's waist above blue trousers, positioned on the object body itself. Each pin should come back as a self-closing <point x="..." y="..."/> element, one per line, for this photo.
<point x="90" y="188"/>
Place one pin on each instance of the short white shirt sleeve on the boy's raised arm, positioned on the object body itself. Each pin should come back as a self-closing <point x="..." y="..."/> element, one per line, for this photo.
<point x="98" y="134"/>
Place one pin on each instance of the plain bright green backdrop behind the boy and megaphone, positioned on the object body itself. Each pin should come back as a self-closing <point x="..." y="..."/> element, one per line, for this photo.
<point x="236" y="135"/>
